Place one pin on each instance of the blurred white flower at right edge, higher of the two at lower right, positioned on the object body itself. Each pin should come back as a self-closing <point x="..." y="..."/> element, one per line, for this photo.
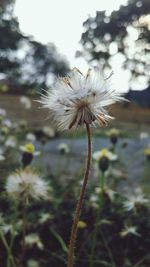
<point x="134" y="201"/>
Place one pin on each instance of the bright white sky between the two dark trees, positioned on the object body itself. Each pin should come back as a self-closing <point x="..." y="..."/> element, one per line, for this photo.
<point x="60" y="22"/>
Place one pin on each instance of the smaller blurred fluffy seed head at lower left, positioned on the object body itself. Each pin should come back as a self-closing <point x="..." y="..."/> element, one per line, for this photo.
<point x="25" y="183"/>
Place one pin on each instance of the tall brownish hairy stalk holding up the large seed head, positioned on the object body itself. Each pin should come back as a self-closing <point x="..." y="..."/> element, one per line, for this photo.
<point x="70" y="262"/>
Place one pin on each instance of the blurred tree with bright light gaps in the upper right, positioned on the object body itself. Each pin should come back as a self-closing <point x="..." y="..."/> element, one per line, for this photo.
<point x="127" y="32"/>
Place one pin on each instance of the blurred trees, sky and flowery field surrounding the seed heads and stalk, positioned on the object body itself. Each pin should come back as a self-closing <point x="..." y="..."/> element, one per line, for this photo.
<point x="41" y="40"/>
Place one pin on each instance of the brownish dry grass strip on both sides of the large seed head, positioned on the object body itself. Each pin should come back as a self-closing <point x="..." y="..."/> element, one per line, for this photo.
<point x="36" y="116"/>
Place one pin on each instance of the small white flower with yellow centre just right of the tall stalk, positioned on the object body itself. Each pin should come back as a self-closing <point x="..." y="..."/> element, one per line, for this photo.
<point x="97" y="155"/>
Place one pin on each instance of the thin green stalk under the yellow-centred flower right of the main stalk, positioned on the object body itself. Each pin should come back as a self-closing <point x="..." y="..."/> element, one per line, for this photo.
<point x="97" y="219"/>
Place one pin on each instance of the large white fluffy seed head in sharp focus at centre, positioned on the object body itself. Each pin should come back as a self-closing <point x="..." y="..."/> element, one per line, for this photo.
<point x="77" y="99"/>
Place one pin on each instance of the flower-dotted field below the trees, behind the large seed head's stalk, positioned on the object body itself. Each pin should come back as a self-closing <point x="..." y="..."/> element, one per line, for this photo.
<point x="41" y="175"/>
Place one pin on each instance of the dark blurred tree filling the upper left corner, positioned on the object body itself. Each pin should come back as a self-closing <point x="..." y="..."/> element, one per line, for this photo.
<point x="24" y="62"/>
